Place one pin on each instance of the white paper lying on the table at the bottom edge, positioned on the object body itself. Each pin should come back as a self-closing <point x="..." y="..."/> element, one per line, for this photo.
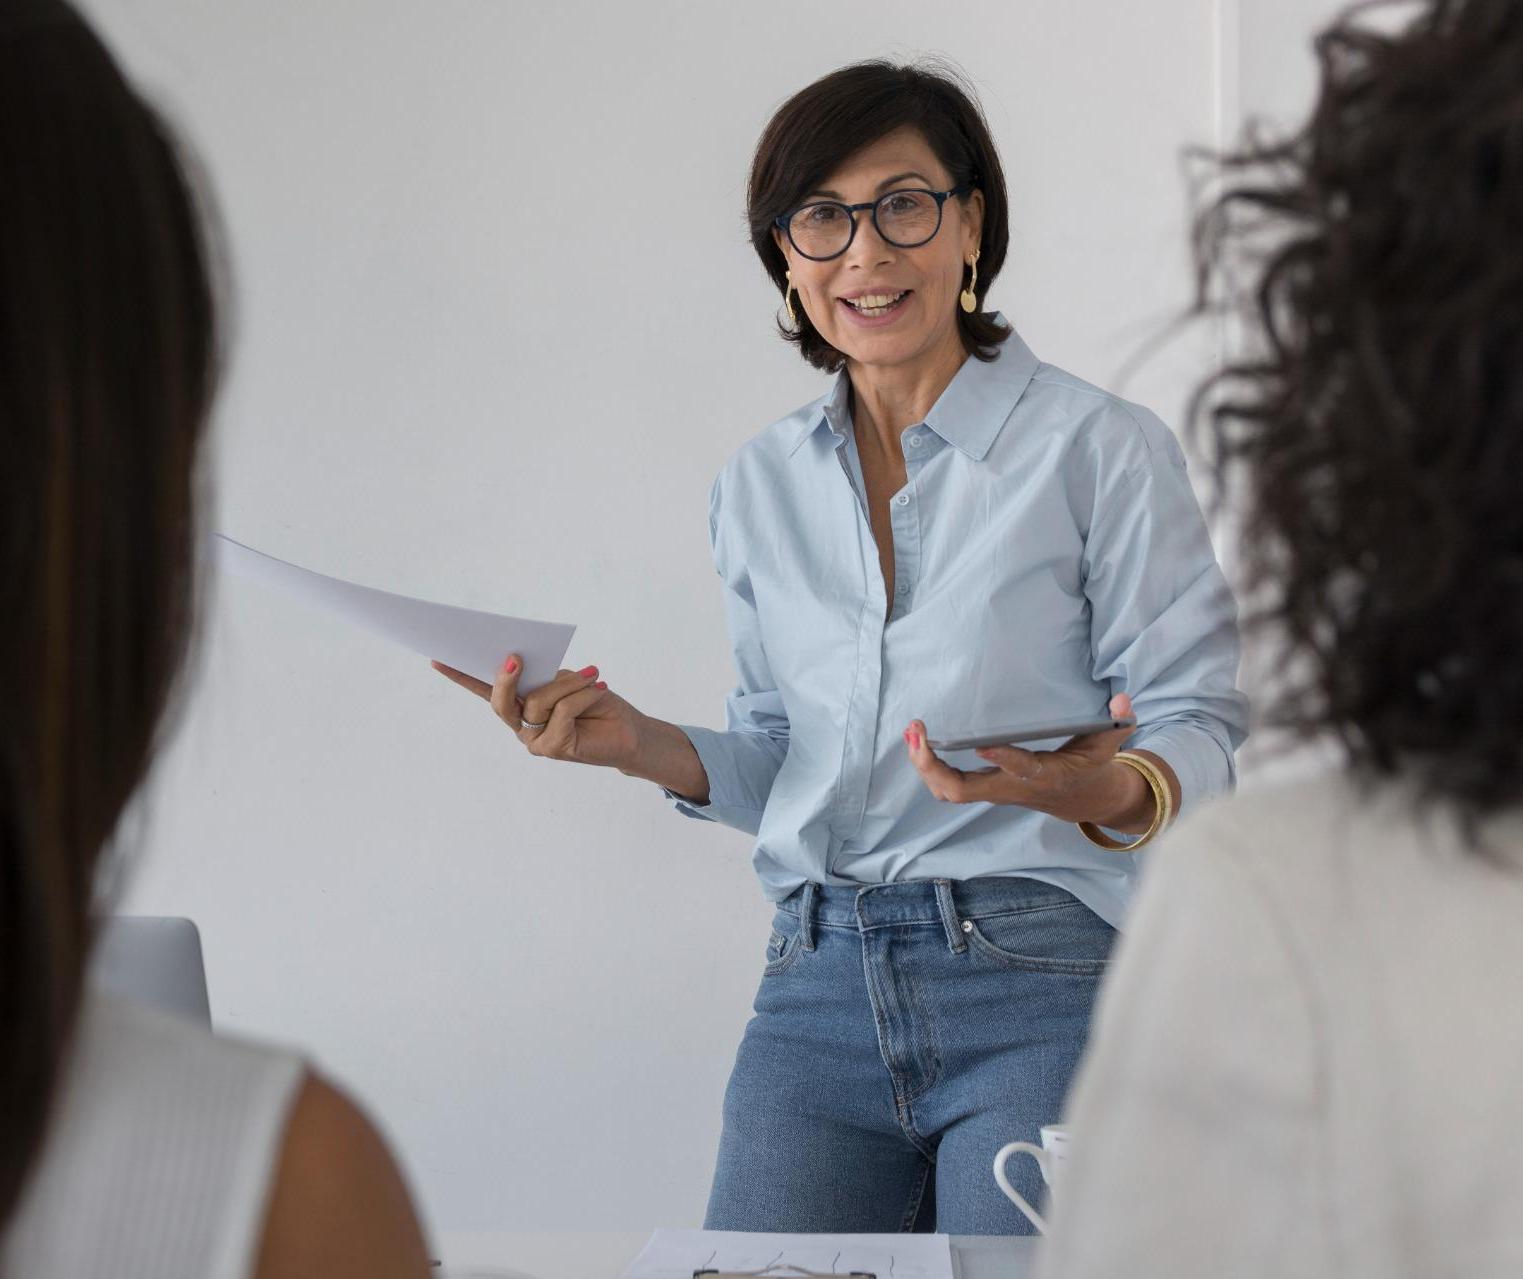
<point x="680" y="1254"/>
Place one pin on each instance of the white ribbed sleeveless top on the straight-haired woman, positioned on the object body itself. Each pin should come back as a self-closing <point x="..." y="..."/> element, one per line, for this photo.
<point x="161" y="1161"/>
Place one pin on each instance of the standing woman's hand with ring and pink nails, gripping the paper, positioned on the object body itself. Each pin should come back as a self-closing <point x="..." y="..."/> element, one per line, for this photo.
<point x="584" y="722"/>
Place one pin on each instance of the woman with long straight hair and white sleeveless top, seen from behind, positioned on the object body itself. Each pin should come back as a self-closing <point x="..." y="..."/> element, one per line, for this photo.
<point x="132" y="1144"/>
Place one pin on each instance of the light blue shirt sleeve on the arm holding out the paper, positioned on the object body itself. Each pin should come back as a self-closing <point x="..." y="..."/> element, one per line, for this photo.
<point x="742" y="761"/>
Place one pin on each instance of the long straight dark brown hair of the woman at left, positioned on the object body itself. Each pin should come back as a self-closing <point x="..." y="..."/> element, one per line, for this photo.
<point x="107" y="371"/>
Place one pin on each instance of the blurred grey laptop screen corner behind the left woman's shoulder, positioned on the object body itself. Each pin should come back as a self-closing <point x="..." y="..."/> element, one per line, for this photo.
<point x="155" y="960"/>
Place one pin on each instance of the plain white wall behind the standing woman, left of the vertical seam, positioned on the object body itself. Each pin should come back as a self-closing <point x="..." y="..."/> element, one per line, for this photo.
<point x="499" y="325"/>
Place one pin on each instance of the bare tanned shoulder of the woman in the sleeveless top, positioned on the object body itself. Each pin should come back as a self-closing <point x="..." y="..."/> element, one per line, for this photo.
<point x="339" y="1205"/>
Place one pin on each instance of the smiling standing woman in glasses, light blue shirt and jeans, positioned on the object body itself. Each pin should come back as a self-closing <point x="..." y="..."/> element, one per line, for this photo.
<point x="954" y="537"/>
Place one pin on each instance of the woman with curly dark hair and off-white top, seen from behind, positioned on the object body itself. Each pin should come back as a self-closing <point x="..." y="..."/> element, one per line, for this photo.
<point x="1307" y="1059"/>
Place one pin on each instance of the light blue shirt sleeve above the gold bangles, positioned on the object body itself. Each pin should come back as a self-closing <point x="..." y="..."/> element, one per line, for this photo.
<point x="1163" y="617"/>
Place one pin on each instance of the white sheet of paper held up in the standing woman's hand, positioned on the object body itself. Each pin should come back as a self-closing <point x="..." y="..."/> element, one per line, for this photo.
<point x="465" y="639"/>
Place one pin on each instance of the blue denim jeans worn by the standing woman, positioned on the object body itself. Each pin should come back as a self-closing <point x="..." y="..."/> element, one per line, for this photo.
<point x="902" y="1035"/>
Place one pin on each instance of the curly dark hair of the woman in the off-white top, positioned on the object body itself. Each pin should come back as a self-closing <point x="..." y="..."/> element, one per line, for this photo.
<point x="1375" y="432"/>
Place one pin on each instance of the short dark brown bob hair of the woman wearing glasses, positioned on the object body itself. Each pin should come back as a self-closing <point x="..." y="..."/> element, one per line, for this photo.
<point x="823" y="126"/>
